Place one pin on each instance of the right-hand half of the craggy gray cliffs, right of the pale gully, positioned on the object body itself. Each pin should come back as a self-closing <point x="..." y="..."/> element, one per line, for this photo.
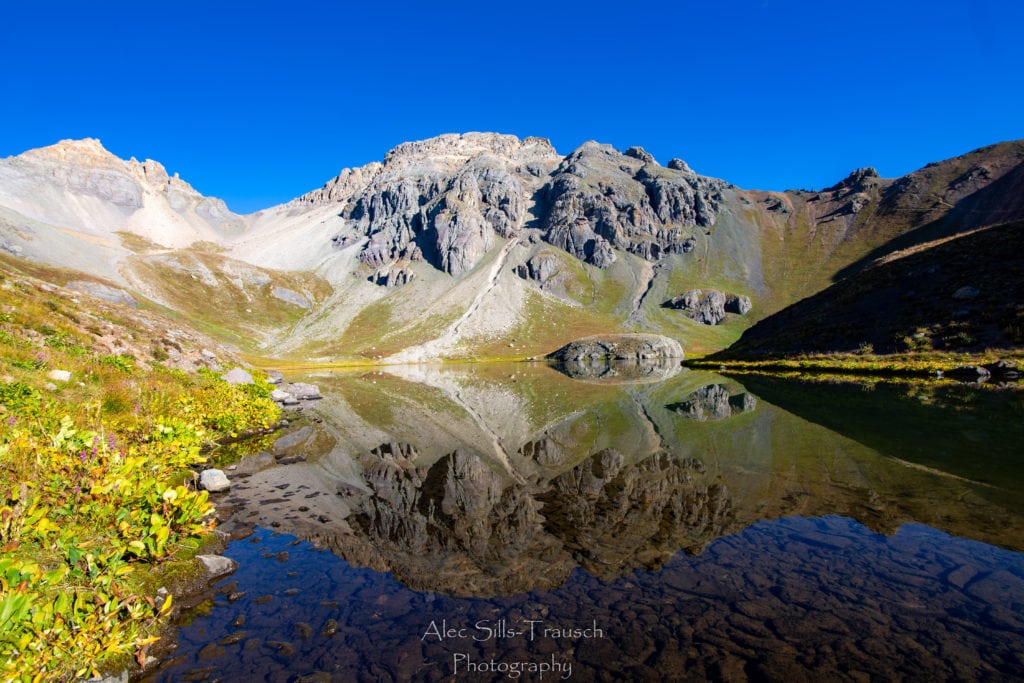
<point x="601" y="199"/>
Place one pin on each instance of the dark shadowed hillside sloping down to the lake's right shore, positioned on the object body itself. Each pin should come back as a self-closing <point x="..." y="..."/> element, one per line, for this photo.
<point x="960" y="294"/>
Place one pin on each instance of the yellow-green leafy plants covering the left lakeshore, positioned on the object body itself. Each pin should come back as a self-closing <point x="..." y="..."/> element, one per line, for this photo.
<point x="89" y="498"/>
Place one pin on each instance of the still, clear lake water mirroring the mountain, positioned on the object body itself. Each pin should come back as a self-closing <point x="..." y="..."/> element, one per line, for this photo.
<point x="513" y="523"/>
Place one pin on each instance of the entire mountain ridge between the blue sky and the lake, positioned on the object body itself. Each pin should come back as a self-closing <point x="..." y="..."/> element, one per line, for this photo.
<point x="488" y="246"/>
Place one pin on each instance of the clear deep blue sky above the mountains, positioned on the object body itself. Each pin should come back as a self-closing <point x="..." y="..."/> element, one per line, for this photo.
<point x="258" y="103"/>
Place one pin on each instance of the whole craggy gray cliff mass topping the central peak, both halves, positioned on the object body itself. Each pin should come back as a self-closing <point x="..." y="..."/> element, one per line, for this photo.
<point x="448" y="200"/>
